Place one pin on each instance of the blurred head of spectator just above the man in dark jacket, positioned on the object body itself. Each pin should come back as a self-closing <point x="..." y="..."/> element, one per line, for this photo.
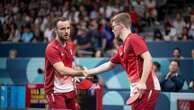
<point x="176" y="54"/>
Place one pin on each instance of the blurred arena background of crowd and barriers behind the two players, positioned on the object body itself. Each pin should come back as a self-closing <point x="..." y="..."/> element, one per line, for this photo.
<point x="21" y="77"/>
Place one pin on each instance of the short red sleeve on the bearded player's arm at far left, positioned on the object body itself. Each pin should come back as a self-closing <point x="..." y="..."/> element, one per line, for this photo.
<point x="53" y="55"/>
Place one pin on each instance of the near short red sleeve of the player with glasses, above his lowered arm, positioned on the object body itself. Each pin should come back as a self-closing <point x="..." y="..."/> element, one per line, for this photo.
<point x="138" y="44"/>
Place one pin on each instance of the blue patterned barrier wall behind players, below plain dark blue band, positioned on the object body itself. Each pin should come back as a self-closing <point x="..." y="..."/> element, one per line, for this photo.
<point x="28" y="70"/>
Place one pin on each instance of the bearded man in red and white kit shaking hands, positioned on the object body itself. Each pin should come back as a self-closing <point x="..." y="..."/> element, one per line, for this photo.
<point x="59" y="86"/>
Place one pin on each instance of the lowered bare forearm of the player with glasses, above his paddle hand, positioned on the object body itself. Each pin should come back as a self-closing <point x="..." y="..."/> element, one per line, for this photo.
<point x="146" y="69"/>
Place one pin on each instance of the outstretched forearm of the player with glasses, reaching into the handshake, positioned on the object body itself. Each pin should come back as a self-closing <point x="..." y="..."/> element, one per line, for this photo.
<point x="102" y="68"/>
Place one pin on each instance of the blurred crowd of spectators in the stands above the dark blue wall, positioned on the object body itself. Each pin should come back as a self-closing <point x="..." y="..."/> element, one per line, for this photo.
<point x="15" y="14"/>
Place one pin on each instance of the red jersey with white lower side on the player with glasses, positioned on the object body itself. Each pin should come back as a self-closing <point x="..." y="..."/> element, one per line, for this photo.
<point x="128" y="55"/>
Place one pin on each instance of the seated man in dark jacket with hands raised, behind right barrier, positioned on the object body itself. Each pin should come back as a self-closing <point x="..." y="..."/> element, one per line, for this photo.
<point x="172" y="81"/>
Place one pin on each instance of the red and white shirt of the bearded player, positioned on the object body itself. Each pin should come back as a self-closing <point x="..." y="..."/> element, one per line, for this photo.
<point x="55" y="52"/>
